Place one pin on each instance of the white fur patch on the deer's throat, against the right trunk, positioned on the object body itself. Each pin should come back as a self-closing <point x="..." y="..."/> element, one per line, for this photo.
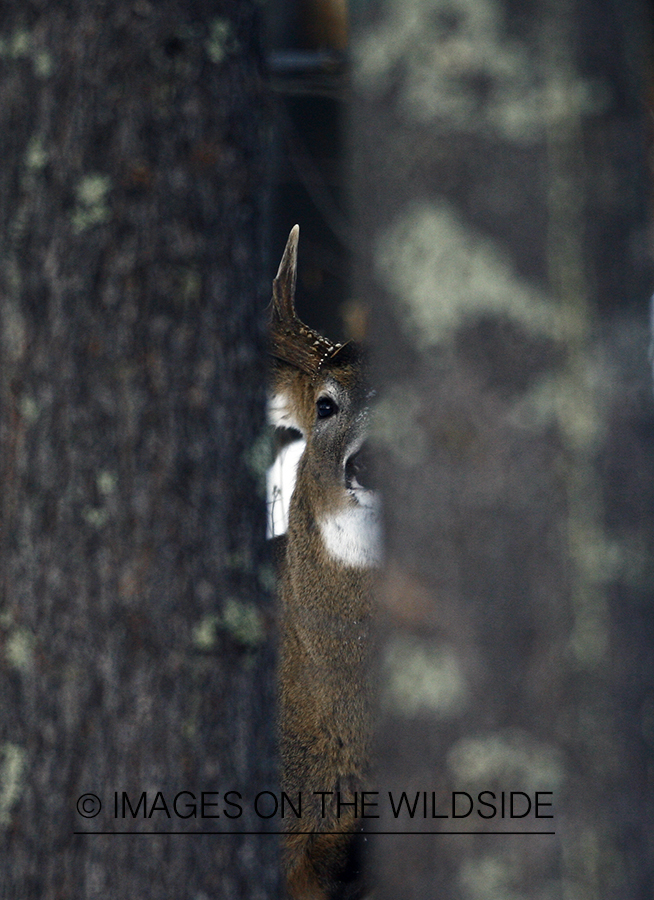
<point x="353" y="535"/>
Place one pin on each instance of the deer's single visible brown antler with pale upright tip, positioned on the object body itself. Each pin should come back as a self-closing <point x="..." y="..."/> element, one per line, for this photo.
<point x="291" y="341"/>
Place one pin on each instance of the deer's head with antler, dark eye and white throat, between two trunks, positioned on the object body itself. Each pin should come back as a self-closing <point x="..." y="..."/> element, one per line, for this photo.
<point x="319" y="388"/>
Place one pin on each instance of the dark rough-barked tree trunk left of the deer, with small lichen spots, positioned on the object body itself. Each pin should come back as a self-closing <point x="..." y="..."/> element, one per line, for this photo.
<point x="135" y="627"/>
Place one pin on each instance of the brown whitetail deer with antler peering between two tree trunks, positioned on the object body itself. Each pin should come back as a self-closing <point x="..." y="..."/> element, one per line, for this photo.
<point x="319" y="388"/>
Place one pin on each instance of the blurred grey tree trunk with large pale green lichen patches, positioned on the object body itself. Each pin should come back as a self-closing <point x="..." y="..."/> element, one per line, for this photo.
<point x="500" y="203"/>
